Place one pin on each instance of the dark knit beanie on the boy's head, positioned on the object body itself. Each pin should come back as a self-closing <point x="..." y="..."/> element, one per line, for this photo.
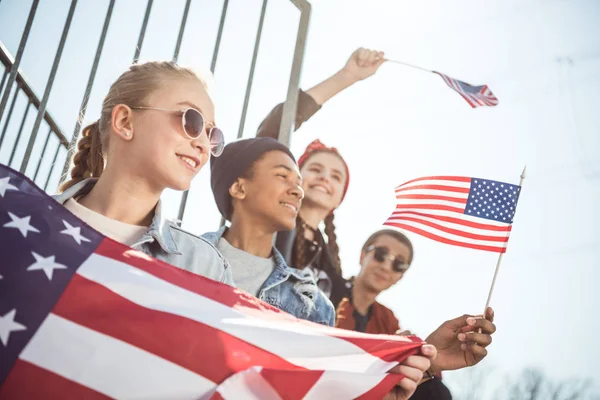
<point x="237" y="157"/>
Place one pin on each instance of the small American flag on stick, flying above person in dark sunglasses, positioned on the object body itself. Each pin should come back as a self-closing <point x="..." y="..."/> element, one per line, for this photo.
<point x="461" y="211"/>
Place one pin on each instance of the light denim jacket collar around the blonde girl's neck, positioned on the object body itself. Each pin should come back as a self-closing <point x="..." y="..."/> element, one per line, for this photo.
<point x="159" y="229"/>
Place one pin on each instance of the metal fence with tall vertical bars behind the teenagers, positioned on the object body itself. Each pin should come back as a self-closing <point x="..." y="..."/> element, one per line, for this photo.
<point x="14" y="84"/>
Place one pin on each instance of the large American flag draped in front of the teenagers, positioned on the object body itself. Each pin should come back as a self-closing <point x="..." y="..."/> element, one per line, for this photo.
<point x="82" y="316"/>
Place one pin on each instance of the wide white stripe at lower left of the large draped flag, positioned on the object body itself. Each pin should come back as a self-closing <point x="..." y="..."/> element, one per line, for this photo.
<point x="108" y="365"/>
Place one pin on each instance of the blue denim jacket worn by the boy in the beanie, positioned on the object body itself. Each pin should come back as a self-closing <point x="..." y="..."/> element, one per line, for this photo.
<point x="291" y="290"/>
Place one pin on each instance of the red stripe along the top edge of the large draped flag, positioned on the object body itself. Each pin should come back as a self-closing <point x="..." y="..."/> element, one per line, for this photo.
<point x="389" y="350"/>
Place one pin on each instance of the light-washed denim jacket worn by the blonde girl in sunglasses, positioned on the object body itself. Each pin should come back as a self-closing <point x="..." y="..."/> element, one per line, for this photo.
<point x="167" y="242"/>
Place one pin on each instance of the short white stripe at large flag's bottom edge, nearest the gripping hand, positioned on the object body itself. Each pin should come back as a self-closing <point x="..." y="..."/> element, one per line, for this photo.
<point x="328" y="386"/>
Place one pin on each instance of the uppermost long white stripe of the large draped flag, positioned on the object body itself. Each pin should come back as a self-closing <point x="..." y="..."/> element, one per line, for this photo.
<point x="151" y="292"/>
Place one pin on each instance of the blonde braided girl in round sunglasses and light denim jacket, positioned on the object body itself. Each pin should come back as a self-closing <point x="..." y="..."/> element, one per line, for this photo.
<point x="155" y="131"/>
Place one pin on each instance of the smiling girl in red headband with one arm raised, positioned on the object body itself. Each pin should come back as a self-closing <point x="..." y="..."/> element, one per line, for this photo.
<point x="325" y="181"/>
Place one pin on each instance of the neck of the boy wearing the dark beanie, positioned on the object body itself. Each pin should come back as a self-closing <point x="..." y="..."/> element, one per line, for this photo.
<point x="251" y="237"/>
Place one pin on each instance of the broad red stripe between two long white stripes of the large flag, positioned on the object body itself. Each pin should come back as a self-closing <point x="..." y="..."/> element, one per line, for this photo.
<point x="186" y="343"/>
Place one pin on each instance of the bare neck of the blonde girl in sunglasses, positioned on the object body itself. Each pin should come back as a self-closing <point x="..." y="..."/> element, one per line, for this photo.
<point x="122" y="197"/>
